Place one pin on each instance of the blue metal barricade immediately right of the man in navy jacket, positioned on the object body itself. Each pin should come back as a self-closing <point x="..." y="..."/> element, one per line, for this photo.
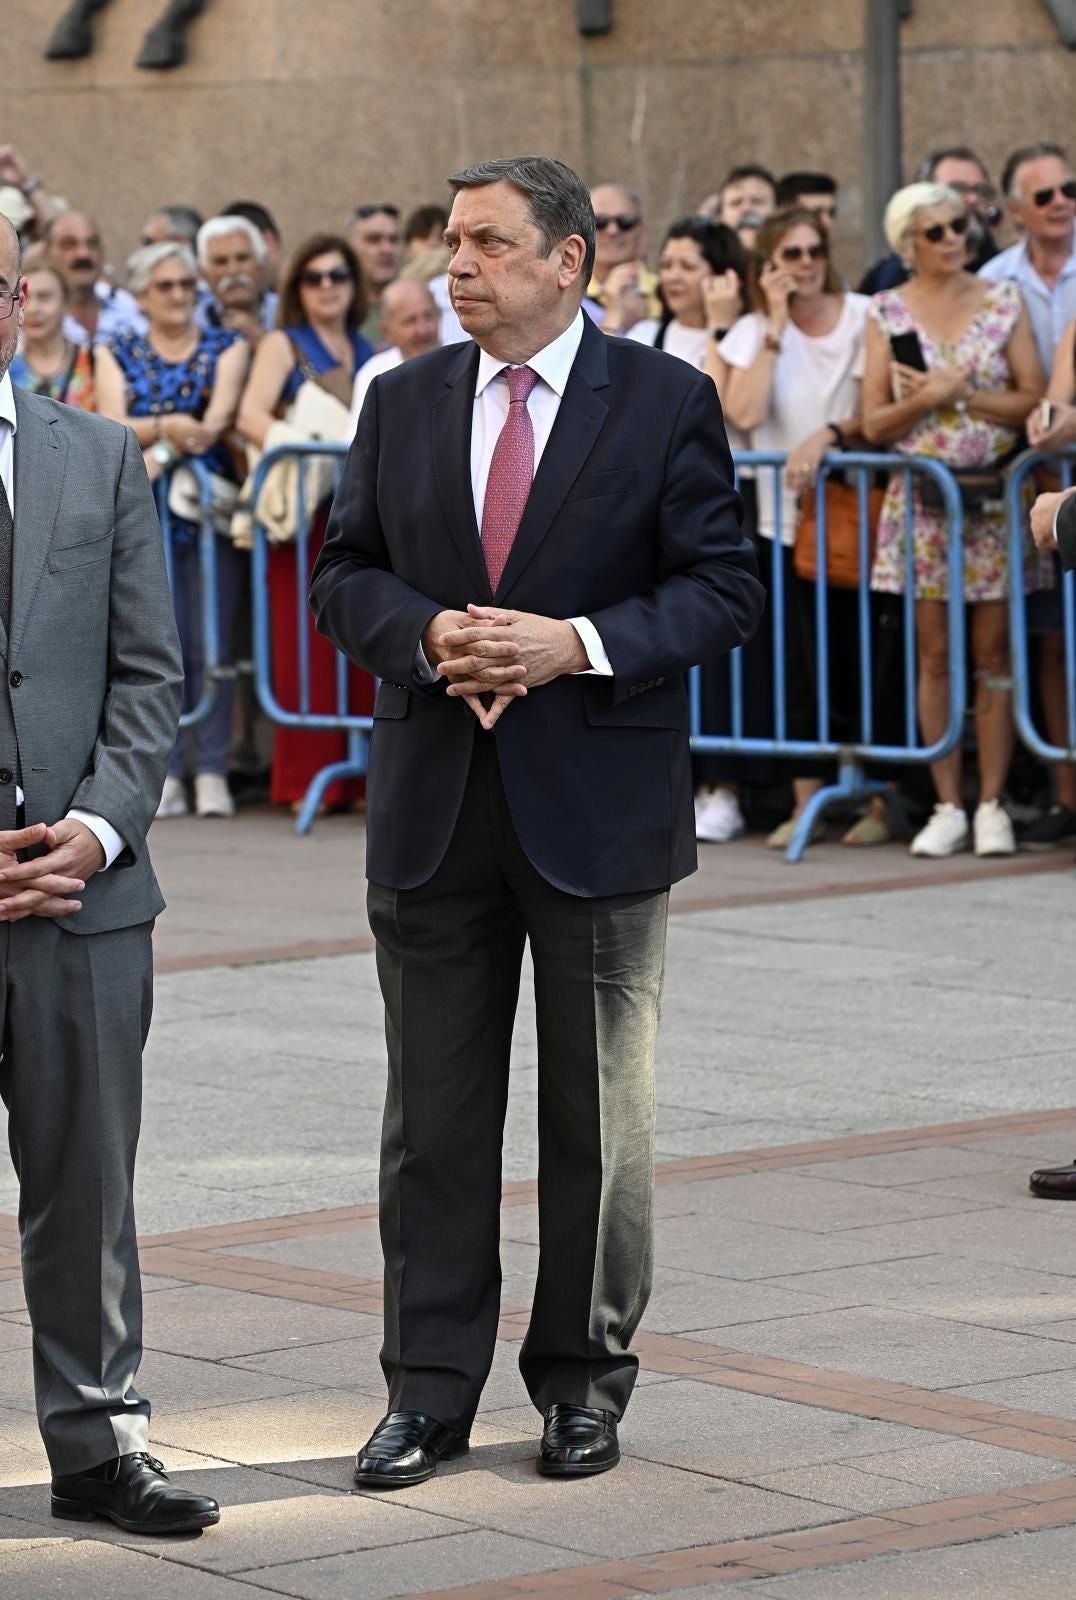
<point x="853" y="780"/>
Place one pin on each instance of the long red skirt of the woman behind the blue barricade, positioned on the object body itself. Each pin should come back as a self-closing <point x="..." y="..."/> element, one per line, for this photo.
<point x="299" y="754"/>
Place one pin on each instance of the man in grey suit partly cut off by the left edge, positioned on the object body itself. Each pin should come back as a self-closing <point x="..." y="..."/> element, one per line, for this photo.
<point x="89" y="706"/>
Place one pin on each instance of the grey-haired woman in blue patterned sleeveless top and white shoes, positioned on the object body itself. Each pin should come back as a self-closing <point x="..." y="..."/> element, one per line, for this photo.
<point x="179" y="388"/>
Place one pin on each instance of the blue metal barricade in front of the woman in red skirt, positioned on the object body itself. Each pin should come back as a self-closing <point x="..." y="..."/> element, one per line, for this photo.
<point x="343" y="719"/>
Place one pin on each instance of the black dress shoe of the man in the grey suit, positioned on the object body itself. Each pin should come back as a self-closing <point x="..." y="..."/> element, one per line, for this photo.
<point x="135" y="1495"/>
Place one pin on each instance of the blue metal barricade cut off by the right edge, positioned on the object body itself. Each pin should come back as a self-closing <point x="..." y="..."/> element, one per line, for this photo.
<point x="1061" y="465"/>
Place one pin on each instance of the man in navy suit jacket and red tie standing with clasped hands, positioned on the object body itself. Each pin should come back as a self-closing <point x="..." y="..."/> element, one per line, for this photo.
<point x="534" y="538"/>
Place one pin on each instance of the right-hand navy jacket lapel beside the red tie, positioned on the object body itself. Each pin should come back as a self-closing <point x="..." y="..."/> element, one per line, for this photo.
<point x="576" y="431"/>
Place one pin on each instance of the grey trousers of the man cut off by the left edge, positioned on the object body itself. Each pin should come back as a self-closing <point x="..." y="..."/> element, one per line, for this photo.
<point x="74" y="1017"/>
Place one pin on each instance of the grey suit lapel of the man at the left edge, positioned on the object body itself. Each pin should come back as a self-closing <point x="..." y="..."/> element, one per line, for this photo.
<point x="39" y="473"/>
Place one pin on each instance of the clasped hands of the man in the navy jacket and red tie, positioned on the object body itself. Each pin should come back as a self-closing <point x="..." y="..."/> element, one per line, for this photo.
<point x="489" y="650"/>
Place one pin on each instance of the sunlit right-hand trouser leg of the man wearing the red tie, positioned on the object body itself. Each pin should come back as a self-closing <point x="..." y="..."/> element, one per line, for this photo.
<point x="600" y="966"/>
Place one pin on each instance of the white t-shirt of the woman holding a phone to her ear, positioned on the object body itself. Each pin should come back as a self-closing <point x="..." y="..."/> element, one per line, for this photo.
<point x="816" y="382"/>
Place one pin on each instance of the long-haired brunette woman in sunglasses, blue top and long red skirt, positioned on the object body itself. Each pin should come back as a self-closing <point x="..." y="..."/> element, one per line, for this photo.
<point x="319" y="340"/>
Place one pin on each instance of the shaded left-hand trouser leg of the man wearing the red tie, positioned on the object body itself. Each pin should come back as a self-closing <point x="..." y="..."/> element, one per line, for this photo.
<point x="449" y="962"/>
